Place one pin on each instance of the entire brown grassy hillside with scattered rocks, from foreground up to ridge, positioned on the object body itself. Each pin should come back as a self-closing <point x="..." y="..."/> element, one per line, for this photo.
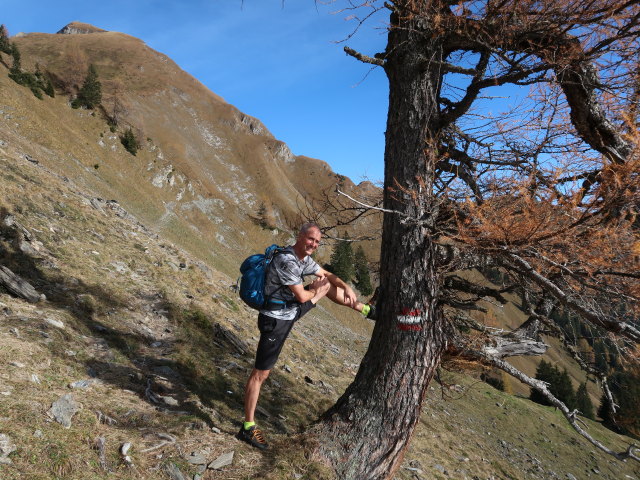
<point x="124" y="350"/>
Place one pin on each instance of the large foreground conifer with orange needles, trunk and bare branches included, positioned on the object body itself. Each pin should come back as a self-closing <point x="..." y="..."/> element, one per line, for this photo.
<point x="465" y="188"/>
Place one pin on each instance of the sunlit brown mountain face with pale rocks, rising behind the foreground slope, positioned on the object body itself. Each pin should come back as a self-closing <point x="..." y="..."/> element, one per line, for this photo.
<point x="204" y="166"/>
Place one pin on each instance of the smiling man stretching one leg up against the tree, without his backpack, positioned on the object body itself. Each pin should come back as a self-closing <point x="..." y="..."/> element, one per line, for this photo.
<point x="288" y="301"/>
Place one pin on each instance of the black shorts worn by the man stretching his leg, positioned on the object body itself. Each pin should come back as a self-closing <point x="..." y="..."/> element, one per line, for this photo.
<point x="273" y="333"/>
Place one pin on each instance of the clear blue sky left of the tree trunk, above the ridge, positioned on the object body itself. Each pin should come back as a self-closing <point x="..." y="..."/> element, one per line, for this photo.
<point x="277" y="61"/>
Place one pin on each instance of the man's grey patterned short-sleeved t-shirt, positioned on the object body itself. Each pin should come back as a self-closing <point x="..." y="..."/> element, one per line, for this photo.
<point x="286" y="269"/>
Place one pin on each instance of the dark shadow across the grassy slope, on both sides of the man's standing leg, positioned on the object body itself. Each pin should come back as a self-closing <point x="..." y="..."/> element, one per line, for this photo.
<point x="204" y="373"/>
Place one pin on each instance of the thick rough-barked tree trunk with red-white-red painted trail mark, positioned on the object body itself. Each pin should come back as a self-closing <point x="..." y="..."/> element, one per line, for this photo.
<point x="365" y="434"/>
